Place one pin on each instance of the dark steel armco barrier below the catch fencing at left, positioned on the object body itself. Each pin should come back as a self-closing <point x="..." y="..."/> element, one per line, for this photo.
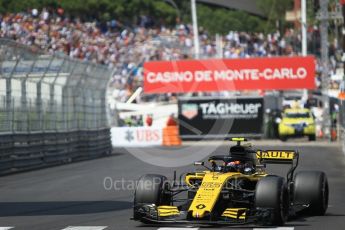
<point x="36" y="150"/>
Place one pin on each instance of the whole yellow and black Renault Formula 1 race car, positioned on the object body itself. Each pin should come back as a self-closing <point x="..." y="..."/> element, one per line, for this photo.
<point x="235" y="189"/>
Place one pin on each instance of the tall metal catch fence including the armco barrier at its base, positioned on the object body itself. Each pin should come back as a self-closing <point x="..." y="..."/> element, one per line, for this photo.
<point x="52" y="109"/>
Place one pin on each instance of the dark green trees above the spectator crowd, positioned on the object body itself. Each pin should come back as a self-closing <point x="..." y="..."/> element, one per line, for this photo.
<point x="211" y="18"/>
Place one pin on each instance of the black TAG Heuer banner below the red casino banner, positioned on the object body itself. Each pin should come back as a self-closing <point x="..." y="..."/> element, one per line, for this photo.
<point x="218" y="117"/>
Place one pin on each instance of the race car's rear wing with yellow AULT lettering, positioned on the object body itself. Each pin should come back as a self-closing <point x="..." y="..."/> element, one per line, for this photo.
<point x="279" y="157"/>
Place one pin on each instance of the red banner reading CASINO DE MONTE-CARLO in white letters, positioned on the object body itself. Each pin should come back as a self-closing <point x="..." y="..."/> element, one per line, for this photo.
<point x="276" y="73"/>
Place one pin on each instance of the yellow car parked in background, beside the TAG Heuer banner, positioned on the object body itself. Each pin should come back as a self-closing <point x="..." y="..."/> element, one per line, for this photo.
<point x="297" y="122"/>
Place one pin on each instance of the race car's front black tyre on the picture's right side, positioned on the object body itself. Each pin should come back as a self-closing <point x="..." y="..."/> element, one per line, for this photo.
<point x="271" y="193"/>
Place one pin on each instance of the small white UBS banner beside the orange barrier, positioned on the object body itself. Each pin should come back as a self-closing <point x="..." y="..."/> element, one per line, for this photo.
<point x="136" y="136"/>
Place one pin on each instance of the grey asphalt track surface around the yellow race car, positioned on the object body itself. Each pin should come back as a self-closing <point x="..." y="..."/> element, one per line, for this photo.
<point x="75" y="194"/>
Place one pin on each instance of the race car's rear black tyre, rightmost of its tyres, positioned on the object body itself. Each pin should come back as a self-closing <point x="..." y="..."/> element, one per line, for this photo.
<point x="311" y="188"/>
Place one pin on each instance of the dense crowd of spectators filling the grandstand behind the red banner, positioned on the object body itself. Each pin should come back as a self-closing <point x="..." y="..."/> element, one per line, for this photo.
<point x="126" y="48"/>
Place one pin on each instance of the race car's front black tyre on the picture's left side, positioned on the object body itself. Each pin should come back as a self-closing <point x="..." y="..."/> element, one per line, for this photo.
<point x="151" y="189"/>
